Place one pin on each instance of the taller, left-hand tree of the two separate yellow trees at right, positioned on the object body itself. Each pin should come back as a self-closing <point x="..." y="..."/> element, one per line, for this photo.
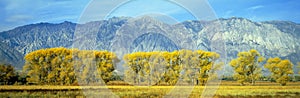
<point x="246" y="66"/>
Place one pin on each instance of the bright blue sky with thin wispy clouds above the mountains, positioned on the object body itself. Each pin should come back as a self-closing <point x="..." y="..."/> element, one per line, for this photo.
<point x="21" y="12"/>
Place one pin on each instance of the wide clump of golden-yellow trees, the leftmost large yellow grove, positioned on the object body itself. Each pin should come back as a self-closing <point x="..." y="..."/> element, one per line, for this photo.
<point x="61" y="66"/>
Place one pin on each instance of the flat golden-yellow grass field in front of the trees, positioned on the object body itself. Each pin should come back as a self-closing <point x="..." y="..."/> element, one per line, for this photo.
<point x="225" y="90"/>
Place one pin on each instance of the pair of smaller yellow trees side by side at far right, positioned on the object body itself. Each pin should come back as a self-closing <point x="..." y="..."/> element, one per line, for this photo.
<point x="247" y="68"/>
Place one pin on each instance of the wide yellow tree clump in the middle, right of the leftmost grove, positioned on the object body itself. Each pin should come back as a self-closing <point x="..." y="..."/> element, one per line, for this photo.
<point x="168" y="67"/>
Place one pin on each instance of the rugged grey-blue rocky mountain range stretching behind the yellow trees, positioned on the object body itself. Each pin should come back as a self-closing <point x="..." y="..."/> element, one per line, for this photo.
<point x="273" y="38"/>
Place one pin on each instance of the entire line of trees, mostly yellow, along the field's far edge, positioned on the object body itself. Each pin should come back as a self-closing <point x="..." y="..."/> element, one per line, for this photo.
<point x="61" y="66"/>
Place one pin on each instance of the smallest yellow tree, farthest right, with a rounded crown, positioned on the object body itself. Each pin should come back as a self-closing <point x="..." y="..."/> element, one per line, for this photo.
<point x="281" y="69"/>
